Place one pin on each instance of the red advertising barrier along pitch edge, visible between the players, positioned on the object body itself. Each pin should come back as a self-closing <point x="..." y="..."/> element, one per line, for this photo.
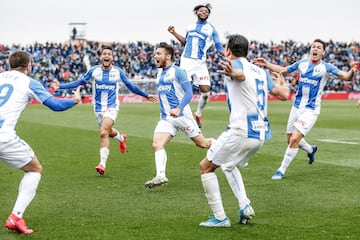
<point x="222" y="97"/>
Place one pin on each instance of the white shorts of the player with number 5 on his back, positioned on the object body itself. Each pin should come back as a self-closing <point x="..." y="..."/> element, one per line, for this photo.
<point x="231" y="150"/>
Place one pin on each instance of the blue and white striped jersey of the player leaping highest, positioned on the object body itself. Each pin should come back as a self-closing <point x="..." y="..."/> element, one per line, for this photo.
<point x="199" y="38"/>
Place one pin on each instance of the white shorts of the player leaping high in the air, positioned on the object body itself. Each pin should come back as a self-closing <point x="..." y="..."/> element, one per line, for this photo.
<point x="196" y="70"/>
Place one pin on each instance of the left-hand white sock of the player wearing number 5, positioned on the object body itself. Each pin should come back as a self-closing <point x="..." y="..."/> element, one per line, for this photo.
<point x="213" y="195"/>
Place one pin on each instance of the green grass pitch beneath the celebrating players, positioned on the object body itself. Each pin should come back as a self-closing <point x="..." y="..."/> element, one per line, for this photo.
<point x="319" y="201"/>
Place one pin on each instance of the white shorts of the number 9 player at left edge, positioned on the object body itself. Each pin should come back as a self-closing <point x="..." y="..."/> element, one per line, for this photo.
<point x="16" y="153"/>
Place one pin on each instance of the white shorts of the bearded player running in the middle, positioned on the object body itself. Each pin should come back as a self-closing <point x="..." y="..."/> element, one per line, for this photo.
<point x="185" y="123"/>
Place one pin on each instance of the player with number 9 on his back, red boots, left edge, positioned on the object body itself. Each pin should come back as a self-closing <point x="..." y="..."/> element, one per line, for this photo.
<point x="16" y="90"/>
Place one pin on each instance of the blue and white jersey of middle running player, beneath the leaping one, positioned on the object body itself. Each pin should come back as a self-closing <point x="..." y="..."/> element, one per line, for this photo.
<point x="170" y="86"/>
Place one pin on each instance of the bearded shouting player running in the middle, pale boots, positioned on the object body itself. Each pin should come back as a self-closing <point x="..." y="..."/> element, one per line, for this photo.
<point x="174" y="93"/>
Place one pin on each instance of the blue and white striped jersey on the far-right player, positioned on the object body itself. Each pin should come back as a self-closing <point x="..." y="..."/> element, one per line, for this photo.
<point x="313" y="78"/>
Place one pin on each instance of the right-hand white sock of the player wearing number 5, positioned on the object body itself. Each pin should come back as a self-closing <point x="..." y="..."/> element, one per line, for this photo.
<point x="236" y="183"/>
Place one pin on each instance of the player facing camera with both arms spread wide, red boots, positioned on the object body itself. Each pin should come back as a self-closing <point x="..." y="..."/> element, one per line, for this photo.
<point x="105" y="86"/>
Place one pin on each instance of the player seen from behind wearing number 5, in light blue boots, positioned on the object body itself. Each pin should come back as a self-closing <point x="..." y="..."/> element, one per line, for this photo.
<point x="247" y="88"/>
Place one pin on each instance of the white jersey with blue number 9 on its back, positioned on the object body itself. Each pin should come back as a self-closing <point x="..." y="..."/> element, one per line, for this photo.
<point x="16" y="90"/>
